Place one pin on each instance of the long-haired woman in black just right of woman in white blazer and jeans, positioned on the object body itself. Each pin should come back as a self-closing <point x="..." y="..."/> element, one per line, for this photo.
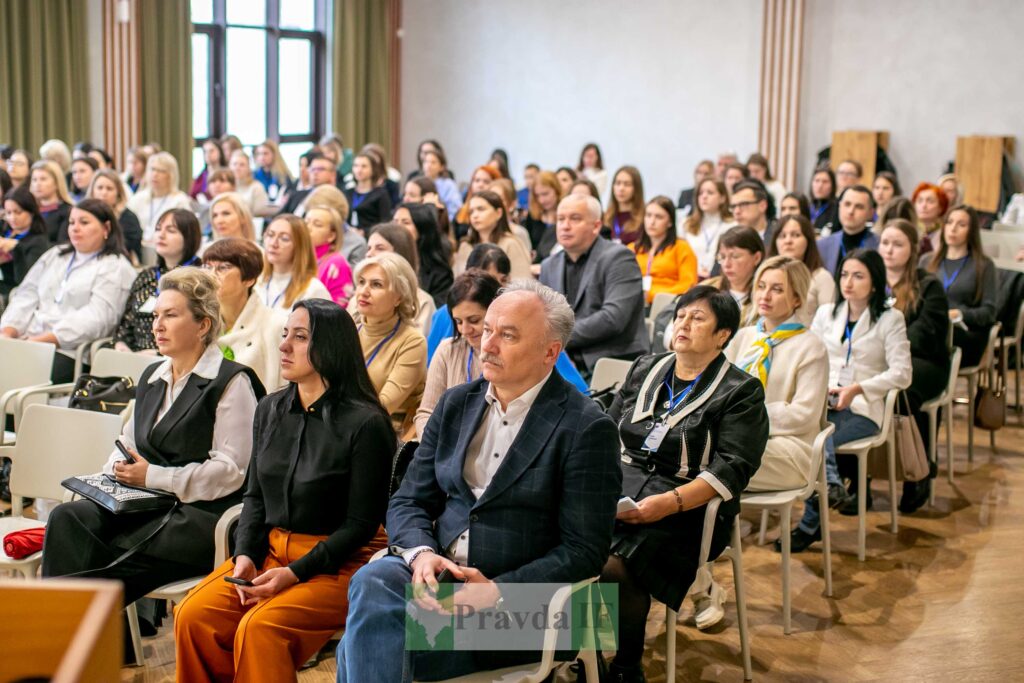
<point x="921" y="298"/>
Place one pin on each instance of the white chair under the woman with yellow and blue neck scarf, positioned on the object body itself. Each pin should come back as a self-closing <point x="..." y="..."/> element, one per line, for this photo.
<point x="783" y="502"/>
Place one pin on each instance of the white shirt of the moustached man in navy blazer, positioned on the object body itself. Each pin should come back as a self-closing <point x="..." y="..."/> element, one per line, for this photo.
<point x="486" y="454"/>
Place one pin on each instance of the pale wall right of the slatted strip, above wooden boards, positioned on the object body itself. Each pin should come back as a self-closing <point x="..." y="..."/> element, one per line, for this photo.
<point x="927" y="71"/>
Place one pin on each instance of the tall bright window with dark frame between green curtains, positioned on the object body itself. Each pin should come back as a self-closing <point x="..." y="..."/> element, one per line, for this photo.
<point x="259" y="72"/>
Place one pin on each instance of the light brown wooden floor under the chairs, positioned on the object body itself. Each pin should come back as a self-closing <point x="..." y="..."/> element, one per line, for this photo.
<point x="944" y="601"/>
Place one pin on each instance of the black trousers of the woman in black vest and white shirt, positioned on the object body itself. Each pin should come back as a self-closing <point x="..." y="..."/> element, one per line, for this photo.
<point x="78" y="542"/>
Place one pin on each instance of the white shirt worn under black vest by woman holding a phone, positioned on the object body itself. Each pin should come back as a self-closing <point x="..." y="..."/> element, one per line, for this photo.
<point x="225" y="473"/>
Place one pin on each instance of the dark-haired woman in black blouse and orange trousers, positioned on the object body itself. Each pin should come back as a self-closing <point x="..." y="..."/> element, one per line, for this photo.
<point x="312" y="517"/>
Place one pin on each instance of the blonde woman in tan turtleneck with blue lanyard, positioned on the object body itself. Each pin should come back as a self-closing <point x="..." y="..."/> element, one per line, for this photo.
<point x="395" y="351"/>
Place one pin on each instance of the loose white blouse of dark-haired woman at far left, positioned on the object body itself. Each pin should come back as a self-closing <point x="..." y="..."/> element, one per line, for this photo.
<point x="78" y="297"/>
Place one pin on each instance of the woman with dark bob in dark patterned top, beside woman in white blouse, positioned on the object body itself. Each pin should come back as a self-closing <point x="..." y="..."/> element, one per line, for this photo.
<point x="177" y="241"/>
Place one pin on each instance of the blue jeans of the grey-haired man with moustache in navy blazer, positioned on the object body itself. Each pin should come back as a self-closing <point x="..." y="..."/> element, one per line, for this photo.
<point x="374" y="646"/>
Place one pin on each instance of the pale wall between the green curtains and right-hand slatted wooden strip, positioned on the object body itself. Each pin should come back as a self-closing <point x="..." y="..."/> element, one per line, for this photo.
<point x="659" y="84"/>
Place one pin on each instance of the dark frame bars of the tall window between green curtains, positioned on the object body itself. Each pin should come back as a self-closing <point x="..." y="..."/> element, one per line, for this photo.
<point x="219" y="89"/>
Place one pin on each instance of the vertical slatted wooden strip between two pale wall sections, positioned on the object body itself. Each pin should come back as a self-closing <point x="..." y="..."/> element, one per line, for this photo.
<point x="782" y="55"/>
